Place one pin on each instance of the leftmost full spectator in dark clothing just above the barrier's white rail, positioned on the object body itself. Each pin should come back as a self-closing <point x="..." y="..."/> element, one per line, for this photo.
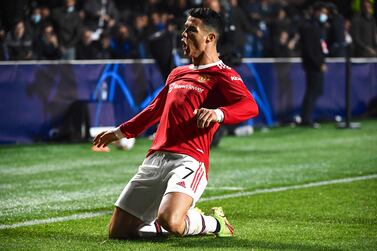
<point x="19" y="43"/>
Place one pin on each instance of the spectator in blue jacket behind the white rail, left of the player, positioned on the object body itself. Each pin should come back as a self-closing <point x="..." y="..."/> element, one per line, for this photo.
<point x="122" y="44"/>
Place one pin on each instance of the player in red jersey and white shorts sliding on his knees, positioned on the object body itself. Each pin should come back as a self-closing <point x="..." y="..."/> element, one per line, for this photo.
<point x="190" y="108"/>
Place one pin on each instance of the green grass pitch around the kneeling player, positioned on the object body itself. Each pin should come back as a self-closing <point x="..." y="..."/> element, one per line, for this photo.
<point x="42" y="181"/>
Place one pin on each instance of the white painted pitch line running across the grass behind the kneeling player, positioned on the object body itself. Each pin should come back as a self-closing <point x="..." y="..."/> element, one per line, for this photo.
<point x="227" y="196"/>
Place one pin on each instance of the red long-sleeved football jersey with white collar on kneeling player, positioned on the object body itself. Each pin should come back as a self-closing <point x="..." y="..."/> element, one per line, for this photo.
<point x="188" y="88"/>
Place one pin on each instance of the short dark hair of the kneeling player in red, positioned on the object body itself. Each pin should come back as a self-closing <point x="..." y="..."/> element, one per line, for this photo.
<point x="210" y="19"/>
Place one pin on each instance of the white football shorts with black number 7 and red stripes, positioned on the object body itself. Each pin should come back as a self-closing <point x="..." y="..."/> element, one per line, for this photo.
<point x="162" y="173"/>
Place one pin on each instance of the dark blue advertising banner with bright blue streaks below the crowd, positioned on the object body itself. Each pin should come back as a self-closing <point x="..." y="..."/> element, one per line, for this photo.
<point x="35" y="98"/>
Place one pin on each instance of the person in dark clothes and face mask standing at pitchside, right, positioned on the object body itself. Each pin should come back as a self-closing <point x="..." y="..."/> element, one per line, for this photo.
<point x="314" y="48"/>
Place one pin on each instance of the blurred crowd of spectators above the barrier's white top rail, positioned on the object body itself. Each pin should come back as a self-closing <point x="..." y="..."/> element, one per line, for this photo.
<point x="116" y="29"/>
